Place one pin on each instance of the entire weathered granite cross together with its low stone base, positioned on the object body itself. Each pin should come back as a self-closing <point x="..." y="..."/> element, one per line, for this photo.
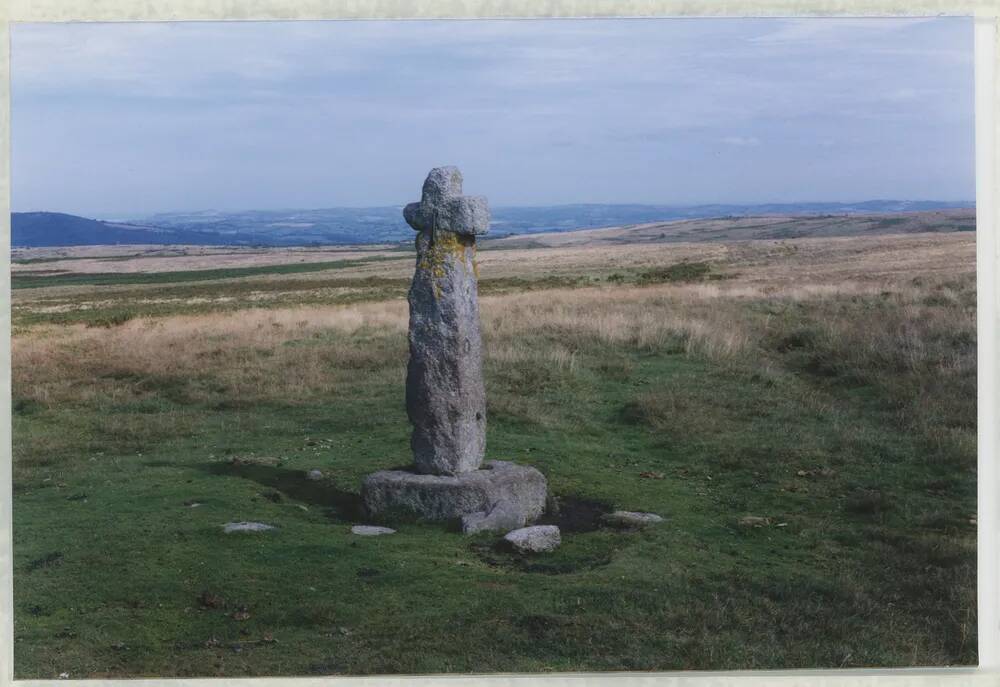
<point x="445" y="397"/>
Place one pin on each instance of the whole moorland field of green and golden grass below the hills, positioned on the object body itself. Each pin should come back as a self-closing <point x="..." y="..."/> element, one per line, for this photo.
<point x="827" y="385"/>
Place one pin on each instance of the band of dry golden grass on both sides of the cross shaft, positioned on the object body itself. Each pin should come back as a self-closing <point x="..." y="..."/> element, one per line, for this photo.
<point x="264" y="353"/>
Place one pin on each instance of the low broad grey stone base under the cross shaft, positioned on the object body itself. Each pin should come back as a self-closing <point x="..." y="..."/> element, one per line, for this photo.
<point x="442" y="497"/>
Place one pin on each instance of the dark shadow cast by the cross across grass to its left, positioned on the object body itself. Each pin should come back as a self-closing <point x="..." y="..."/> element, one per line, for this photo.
<point x="338" y="504"/>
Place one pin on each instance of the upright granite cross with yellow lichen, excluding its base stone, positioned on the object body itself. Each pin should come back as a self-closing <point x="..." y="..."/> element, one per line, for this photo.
<point x="445" y="396"/>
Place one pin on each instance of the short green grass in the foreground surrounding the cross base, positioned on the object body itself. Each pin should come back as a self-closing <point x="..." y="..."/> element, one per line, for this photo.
<point x="869" y="560"/>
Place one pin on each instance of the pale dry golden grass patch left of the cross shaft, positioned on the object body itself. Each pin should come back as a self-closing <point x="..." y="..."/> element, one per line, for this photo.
<point x="242" y="354"/>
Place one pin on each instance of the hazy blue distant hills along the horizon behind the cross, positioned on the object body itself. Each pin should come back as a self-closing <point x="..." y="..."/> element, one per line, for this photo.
<point x="346" y="226"/>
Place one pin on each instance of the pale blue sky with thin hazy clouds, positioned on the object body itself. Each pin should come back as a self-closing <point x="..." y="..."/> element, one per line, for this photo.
<point x="126" y="120"/>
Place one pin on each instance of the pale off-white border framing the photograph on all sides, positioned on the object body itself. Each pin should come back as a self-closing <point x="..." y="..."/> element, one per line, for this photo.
<point x="987" y="90"/>
